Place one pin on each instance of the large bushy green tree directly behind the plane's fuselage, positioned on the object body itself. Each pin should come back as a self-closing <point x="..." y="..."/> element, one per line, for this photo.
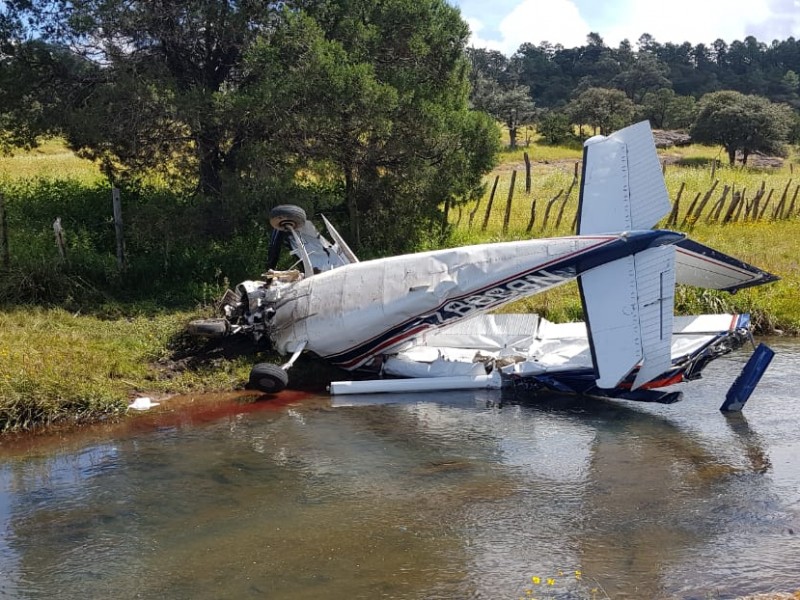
<point x="373" y="97"/>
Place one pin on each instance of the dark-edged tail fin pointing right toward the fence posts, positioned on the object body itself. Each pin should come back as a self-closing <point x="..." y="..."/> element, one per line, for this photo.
<point x="701" y="266"/>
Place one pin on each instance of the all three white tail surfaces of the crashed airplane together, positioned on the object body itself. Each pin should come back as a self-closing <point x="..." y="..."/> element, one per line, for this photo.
<point x="628" y="303"/>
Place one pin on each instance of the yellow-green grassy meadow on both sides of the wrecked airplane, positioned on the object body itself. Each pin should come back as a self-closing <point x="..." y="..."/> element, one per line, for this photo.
<point x="61" y="361"/>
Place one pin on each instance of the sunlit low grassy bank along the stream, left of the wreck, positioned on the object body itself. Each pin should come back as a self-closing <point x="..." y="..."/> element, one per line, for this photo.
<point x="58" y="367"/>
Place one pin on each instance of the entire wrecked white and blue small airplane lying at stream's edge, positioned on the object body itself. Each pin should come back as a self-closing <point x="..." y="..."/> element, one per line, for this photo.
<point x="423" y="321"/>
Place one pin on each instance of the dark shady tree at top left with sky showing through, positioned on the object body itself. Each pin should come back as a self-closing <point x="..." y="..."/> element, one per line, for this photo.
<point x="160" y="72"/>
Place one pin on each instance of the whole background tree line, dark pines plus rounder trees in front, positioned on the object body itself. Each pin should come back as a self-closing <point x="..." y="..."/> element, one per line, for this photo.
<point x="744" y="96"/>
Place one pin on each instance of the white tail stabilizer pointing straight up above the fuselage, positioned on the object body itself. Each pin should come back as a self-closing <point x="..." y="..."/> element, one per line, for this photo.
<point x="617" y="169"/>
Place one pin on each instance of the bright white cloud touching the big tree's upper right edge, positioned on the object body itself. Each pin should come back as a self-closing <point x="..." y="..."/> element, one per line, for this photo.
<point x="555" y="21"/>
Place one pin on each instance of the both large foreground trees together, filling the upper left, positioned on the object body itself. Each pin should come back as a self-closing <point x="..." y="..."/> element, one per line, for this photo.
<point x="356" y="104"/>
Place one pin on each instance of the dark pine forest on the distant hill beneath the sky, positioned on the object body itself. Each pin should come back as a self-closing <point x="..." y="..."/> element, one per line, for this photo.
<point x="555" y="74"/>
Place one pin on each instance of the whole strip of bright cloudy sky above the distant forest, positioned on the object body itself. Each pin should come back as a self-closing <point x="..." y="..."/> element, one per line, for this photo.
<point x="506" y="24"/>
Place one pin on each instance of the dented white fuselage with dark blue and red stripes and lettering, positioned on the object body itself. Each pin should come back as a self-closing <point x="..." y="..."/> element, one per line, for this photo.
<point x="355" y="312"/>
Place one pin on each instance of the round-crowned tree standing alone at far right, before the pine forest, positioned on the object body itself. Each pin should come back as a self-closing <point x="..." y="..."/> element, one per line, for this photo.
<point x="741" y="123"/>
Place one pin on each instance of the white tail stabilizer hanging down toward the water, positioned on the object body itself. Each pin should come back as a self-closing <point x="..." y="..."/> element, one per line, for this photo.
<point x="628" y="306"/>
